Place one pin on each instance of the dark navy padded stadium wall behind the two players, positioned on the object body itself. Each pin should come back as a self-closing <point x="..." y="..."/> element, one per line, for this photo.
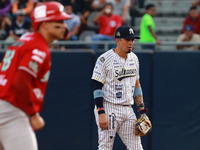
<point x="170" y="82"/>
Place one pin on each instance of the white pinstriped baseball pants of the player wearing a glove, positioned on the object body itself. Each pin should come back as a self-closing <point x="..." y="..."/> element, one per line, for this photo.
<point x="121" y="120"/>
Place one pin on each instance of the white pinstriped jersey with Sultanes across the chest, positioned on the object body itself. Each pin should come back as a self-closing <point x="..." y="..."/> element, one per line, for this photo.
<point x="118" y="76"/>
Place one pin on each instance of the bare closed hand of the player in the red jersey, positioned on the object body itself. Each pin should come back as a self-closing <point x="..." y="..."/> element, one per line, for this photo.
<point x="37" y="122"/>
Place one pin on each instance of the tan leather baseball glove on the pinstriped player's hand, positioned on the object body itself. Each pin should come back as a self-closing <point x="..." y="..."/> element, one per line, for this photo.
<point x="142" y="125"/>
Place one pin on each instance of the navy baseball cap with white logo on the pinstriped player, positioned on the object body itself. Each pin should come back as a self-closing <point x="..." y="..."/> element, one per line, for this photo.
<point x="125" y="32"/>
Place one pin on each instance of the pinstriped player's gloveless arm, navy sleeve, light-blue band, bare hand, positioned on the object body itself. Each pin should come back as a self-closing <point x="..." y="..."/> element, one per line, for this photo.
<point x="98" y="98"/>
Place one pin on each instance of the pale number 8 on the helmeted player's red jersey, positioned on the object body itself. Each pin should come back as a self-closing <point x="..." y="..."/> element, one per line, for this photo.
<point x="7" y="60"/>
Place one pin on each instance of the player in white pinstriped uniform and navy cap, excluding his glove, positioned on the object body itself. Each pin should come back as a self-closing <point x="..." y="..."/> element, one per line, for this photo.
<point x="116" y="86"/>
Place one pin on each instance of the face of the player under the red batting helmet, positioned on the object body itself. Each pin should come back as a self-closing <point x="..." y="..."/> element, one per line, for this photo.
<point x="57" y="29"/>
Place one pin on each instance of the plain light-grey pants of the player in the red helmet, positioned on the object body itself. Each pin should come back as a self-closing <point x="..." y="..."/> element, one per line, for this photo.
<point x="16" y="132"/>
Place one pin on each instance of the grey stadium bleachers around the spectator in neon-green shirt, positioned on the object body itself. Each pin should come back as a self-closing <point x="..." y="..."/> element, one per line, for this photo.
<point x="169" y="19"/>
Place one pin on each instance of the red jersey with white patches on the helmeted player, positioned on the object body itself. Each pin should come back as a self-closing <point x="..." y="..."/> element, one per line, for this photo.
<point x="31" y="54"/>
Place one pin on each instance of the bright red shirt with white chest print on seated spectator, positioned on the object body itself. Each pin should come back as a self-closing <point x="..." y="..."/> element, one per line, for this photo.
<point x="108" y="25"/>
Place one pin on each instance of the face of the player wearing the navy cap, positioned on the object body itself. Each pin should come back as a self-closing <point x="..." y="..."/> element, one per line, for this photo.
<point x="126" y="45"/>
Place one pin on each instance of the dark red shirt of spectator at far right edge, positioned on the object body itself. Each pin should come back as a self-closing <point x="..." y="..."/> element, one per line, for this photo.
<point x="193" y="22"/>
